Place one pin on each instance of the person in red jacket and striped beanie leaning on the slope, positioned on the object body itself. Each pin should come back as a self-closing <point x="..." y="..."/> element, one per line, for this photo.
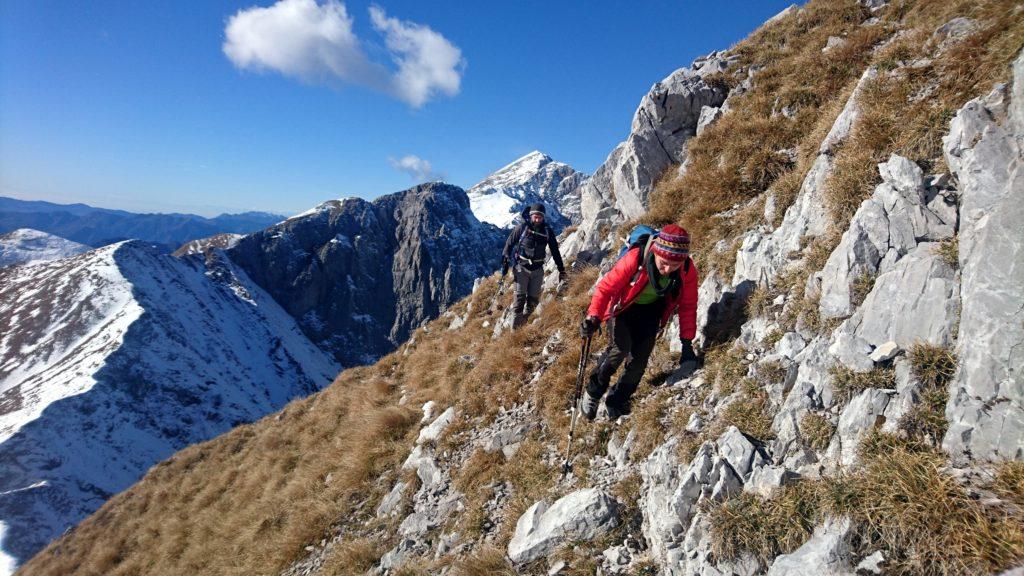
<point x="637" y="309"/>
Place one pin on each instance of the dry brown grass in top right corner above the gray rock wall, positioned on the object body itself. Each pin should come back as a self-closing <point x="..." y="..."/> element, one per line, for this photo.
<point x="898" y="117"/>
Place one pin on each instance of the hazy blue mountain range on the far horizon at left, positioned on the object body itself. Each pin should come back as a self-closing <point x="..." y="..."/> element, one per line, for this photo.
<point x="100" y="227"/>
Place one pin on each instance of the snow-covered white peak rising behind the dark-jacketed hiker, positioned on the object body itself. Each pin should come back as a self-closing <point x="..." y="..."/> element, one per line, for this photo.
<point x="535" y="178"/>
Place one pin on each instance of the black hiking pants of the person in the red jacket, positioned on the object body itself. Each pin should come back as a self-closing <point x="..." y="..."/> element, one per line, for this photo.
<point x="633" y="336"/>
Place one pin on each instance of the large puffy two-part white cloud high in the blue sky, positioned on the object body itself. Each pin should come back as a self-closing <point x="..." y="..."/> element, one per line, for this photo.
<point x="316" y="43"/>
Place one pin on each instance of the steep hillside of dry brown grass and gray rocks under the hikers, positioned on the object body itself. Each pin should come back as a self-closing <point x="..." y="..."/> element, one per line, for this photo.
<point x="851" y="176"/>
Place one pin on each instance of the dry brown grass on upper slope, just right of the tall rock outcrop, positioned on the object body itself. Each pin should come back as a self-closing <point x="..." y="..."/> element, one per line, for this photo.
<point x="740" y="157"/>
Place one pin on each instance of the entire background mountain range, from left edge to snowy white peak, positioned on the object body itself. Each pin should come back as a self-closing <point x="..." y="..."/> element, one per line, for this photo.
<point x="114" y="359"/>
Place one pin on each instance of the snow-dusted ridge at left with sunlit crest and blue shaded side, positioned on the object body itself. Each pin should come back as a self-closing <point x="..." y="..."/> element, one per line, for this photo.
<point x="115" y="359"/>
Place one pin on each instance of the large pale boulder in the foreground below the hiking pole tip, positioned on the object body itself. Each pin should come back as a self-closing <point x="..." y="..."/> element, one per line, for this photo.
<point x="584" y="515"/>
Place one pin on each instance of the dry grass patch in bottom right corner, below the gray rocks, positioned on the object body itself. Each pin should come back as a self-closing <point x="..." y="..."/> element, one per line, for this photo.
<point x="900" y="502"/>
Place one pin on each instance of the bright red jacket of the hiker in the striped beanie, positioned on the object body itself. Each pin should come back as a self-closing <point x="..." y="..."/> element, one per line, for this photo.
<point x="614" y="295"/>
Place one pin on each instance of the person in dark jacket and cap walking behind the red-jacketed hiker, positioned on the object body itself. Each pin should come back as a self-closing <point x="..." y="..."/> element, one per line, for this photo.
<point x="525" y="253"/>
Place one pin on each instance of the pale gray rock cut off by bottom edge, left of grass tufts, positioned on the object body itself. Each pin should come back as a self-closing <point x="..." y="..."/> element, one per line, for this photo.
<point x="827" y="554"/>
